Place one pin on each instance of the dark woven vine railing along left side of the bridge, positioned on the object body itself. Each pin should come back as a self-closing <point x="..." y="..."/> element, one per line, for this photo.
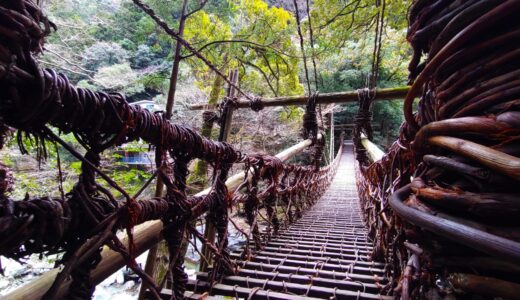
<point x="88" y="217"/>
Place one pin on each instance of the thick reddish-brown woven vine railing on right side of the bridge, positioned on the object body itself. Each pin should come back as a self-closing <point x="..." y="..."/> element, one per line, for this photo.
<point x="443" y="204"/>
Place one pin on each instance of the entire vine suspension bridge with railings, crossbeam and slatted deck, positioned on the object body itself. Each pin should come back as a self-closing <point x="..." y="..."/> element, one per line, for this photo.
<point x="435" y="217"/>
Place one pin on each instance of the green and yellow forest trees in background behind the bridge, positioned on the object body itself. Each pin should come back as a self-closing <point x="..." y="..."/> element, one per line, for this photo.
<point x="113" y="46"/>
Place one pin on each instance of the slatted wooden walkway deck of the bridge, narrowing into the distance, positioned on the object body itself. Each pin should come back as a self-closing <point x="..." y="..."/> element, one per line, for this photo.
<point x="322" y="255"/>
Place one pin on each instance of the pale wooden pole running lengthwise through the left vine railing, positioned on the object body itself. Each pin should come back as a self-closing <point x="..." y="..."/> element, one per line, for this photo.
<point x="146" y="235"/>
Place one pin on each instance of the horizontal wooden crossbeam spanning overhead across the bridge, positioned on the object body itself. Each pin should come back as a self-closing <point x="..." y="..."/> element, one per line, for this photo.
<point x="328" y="98"/>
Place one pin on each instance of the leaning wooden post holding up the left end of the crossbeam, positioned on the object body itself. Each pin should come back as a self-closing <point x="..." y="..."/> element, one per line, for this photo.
<point x="209" y="229"/>
